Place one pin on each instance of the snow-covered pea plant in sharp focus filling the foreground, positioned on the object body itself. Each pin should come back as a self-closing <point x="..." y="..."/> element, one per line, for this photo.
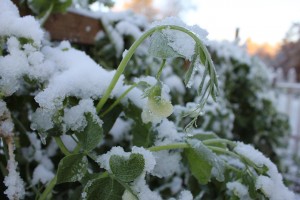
<point x="103" y="135"/>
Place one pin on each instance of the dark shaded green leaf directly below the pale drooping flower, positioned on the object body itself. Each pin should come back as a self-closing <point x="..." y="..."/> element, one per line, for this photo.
<point x="143" y="134"/>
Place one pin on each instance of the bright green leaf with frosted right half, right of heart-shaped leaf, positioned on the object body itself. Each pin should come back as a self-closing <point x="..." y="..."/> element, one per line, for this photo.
<point x="203" y="162"/>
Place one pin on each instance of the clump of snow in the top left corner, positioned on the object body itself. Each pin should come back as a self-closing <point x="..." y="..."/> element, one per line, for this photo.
<point x="12" y="25"/>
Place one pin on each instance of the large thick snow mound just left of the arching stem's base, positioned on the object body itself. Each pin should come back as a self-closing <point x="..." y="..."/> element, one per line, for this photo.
<point x="81" y="77"/>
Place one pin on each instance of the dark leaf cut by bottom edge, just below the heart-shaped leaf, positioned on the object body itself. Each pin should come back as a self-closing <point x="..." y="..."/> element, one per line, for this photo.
<point x="104" y="189"/>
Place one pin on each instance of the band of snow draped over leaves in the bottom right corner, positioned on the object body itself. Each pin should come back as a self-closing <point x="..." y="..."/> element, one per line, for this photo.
<point x="271" y="185"/>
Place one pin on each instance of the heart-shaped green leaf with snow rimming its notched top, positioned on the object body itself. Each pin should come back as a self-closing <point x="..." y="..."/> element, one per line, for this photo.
<point x="127" y="170"/>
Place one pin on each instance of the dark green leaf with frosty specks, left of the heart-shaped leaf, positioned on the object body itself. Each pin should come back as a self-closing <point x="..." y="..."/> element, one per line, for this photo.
<point x="72" y="168"/>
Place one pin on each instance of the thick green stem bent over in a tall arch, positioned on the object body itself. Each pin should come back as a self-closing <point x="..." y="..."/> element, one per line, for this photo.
<point x="131" y="51"/>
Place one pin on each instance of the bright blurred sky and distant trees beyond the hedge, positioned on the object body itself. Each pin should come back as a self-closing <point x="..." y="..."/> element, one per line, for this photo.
<point x="269" y="28"/>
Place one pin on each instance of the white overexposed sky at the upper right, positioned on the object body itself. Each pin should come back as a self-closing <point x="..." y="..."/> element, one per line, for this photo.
<point x="264" y="21"/>
